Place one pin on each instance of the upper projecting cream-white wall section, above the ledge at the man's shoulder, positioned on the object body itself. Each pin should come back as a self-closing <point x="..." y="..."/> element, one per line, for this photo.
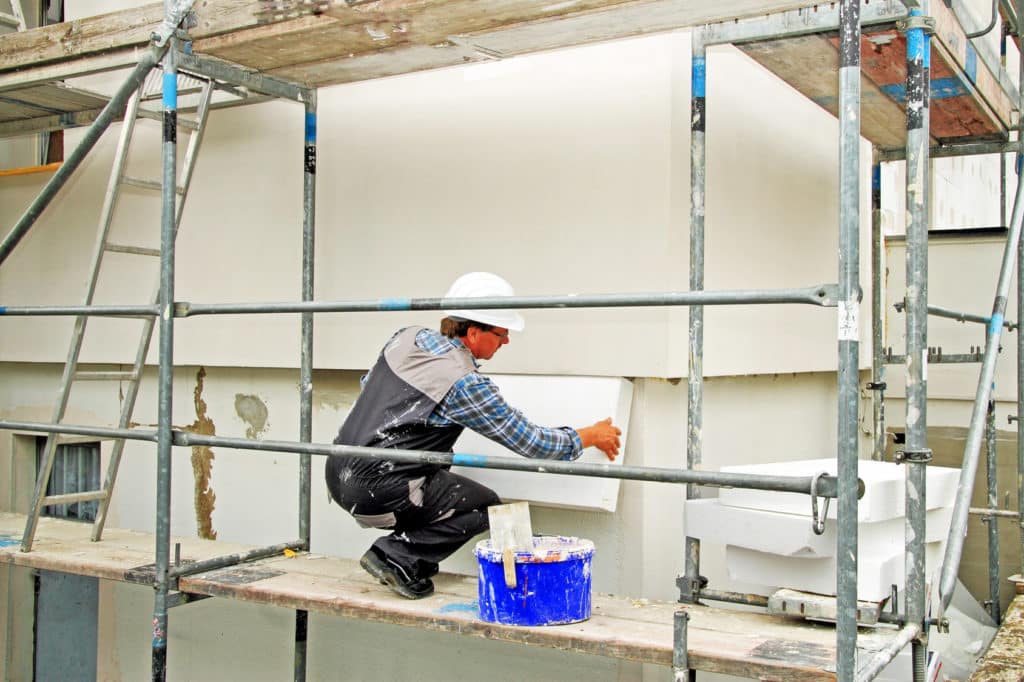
<point x="565" y="173"/>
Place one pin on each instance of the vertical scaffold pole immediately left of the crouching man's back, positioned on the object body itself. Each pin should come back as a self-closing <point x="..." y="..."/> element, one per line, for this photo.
<point x="307" y="371"/>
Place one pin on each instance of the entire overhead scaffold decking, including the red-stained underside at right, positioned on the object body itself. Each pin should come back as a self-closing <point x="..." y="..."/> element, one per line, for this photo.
<point x="339" y="44"/>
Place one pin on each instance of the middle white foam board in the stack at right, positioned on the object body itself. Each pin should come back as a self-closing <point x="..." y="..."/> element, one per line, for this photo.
<point x="792" y="535"/>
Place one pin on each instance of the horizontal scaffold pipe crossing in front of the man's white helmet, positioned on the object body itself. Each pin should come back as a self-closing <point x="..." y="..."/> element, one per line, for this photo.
<point x="824" y="295"/>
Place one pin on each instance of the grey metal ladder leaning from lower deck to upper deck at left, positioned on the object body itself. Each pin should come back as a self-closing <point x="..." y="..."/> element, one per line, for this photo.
<point x="133" y="378"/>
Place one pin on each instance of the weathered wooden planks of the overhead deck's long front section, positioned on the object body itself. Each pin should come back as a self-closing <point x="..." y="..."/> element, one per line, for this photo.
<point x="314" y="46"/>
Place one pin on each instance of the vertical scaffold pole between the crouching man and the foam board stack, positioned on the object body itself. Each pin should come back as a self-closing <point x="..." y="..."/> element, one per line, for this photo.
<point x="695" y="417"/>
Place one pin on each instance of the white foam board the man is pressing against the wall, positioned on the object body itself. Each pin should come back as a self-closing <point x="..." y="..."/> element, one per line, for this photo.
<point x="552" y="401"/>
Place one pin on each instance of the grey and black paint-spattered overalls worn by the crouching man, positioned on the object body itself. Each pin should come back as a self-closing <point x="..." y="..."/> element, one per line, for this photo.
<point x="432" y="511"/>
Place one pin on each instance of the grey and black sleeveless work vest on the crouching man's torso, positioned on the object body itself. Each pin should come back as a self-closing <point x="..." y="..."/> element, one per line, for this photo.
<point x="402" y="391"/>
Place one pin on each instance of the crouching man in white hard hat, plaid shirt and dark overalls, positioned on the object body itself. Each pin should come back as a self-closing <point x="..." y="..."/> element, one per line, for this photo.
<point x="424" y="390"/>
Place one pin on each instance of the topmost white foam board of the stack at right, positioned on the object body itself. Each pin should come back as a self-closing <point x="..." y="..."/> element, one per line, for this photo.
<point x="884" y="489"/>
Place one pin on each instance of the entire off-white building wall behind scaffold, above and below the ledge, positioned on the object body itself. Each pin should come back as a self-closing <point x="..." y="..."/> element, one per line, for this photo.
<point x="565" y="173"/>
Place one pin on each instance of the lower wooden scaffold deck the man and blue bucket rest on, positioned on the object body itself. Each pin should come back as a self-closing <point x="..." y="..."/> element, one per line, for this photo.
<point x="720" y="641"/>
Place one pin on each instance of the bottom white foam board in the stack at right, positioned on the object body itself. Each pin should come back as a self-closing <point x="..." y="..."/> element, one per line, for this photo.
<point x="876" y="574"/>
